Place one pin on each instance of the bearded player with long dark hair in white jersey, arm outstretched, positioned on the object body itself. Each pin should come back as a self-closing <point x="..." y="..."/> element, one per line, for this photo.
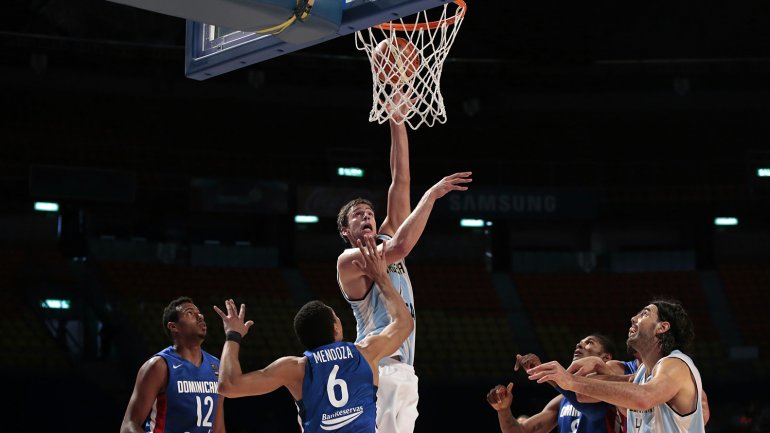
<point x="666" y="393"/>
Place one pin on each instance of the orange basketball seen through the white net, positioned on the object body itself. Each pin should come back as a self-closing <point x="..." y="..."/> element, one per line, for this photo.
<point x="396" y="60"/>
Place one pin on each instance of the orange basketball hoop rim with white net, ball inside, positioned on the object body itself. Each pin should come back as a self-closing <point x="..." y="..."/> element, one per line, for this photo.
<point x="407" y="59"/>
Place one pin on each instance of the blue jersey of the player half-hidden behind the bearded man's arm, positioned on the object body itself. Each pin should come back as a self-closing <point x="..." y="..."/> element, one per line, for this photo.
<point x="576" y="417"/>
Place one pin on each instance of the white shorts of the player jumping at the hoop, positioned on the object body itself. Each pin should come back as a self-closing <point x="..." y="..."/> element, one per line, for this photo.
<point x="396" y="397"/>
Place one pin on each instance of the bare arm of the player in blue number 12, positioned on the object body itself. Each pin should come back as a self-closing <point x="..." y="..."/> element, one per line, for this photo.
<point x="150" y="381"/>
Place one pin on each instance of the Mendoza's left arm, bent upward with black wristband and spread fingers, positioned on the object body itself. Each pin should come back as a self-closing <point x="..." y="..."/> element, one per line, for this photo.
<point x="287" y="371"/>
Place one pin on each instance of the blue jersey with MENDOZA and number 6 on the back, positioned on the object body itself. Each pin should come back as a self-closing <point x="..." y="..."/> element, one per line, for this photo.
<point x="338" y="392"/>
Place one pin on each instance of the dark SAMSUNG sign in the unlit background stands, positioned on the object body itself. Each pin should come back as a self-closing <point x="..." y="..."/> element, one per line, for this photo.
<point x="481" y="202"/>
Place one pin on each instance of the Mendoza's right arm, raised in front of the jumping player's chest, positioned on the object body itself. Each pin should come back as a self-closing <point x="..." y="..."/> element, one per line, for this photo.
<point x="376" y="347"/>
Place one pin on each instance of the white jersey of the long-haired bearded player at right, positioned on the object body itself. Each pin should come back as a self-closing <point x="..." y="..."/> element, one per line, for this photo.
<point x="662" y="418"/>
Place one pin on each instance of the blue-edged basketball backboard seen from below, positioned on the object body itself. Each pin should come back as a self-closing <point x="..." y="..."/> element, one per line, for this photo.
<point x="214" y="50"/>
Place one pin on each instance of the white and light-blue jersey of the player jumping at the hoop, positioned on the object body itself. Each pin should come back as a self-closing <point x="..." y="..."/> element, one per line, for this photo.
<point x="372" y="316"/>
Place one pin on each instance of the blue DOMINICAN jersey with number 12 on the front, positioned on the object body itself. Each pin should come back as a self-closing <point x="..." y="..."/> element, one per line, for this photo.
<point x="190" y="401"/>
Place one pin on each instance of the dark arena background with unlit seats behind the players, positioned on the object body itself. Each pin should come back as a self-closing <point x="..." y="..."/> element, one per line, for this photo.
<point x="605" y="140"/>
